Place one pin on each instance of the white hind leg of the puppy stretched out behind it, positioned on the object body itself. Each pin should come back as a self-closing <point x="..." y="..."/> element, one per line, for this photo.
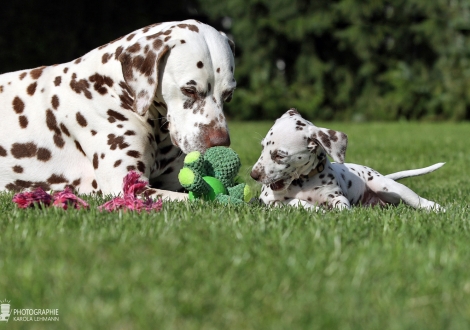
<point x="393" y="192"/>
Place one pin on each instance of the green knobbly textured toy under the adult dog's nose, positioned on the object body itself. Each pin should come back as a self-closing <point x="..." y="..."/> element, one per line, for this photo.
<point x="212" y="176"/>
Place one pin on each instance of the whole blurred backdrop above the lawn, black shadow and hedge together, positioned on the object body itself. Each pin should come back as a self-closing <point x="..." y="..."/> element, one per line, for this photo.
<point x="331" y="59"/>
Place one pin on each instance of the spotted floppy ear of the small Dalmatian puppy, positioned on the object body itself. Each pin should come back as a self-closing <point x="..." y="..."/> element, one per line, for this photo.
<point x="334" y="142"/>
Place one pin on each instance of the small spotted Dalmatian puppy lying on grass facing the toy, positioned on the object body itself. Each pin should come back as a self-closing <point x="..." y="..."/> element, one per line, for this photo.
<point x="295" y="170"/>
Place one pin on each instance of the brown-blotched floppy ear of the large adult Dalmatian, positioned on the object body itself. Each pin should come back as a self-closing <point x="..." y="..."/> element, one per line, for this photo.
<point x="140" y="67"/>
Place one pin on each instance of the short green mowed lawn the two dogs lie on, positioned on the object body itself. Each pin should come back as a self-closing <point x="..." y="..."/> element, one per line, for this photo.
<point x="206" y="266"/>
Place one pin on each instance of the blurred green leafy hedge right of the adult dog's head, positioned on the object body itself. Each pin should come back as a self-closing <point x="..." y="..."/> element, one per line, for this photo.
<point x="349" y="59"/>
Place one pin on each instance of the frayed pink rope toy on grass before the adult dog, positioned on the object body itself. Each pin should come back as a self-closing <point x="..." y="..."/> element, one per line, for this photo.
<point x="132" y="186"/>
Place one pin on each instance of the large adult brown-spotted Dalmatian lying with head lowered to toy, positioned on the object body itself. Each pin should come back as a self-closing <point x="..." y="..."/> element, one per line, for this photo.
<point x="136" y="103"/>
